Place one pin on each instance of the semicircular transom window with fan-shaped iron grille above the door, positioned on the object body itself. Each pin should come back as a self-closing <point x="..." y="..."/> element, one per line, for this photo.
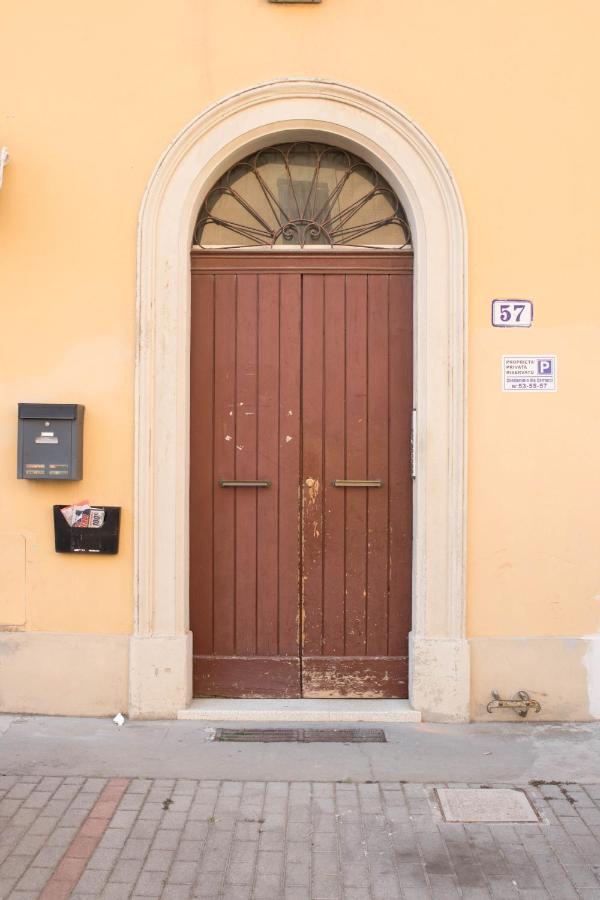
<point x="301" y="194"/>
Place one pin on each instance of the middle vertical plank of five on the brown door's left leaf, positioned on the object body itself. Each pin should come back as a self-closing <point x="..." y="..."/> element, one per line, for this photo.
<point x="245" y="464"/>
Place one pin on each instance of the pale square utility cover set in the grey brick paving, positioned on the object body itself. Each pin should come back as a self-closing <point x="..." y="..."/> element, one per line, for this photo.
<point x="485" y="805"/>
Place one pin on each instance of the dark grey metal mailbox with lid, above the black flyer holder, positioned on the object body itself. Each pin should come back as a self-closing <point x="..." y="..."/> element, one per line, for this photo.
<point x="50" y="443"/>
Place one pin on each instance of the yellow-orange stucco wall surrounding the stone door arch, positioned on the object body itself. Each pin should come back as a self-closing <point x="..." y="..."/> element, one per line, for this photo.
<point x="90" y="98"/>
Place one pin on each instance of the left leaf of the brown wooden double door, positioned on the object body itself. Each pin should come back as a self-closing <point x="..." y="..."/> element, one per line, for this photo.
<point x="244" y="555"/>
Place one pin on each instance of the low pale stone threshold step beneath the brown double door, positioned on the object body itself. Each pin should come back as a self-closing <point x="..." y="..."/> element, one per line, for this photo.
<point x="301" y="711"/>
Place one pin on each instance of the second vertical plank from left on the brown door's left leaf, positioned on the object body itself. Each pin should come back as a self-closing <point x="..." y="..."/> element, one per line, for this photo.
<point x="224" y="460"/>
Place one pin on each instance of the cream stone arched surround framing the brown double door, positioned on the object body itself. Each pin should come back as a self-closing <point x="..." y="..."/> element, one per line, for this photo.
<point x="160" y="658"/>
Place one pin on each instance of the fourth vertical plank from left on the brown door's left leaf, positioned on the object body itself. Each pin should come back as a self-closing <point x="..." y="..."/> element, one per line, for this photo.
<point x="267" y="415"/>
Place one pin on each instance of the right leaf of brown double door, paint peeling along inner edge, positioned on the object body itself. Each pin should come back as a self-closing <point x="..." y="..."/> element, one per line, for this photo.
<point x="354" y="644"/>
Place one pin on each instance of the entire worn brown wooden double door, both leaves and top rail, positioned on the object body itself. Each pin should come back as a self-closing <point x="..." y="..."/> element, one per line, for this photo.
<point x="301" y="376"/>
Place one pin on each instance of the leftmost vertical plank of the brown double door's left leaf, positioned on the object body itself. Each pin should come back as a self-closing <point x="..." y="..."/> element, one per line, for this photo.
<point x="201" y="467"/>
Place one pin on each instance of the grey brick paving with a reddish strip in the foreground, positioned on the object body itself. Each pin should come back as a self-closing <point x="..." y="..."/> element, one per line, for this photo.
<point x="119" y="838"/>
